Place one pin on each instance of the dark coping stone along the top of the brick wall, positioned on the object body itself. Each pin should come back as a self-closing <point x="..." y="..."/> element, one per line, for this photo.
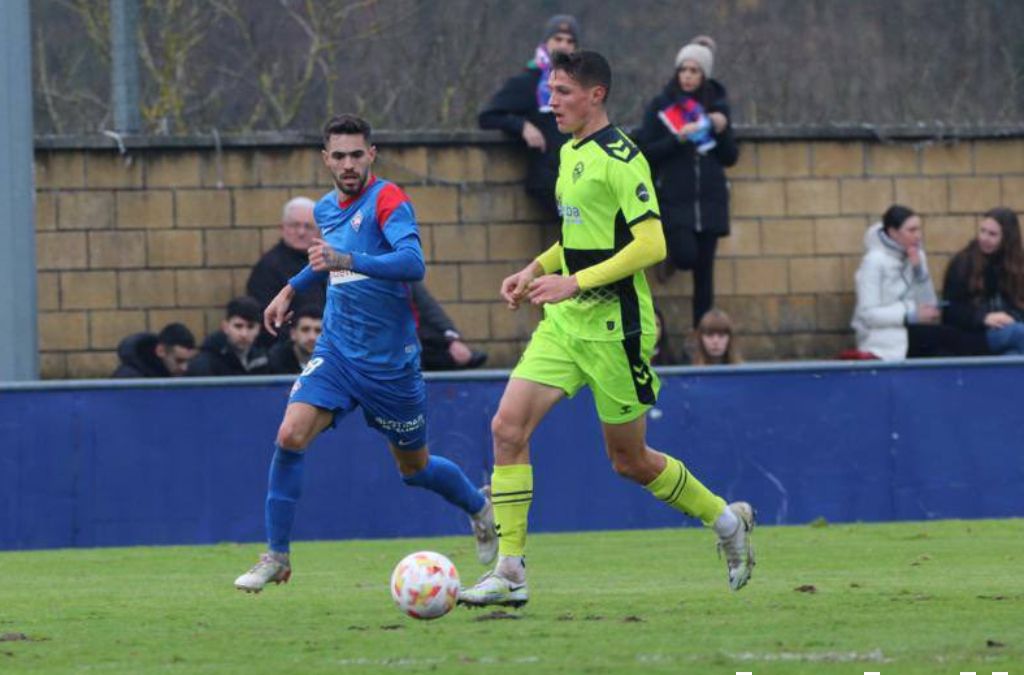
<point x="111" y="141"/>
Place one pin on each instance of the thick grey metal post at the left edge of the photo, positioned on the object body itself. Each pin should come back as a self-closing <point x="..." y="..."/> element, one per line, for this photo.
<point x="19" y="345"/>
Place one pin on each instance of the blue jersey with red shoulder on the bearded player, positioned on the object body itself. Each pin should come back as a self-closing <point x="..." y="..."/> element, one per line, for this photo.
<point x="369" y="318"/>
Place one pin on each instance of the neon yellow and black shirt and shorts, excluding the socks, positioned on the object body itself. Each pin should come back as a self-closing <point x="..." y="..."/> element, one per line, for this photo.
<point x="605" y="335"/>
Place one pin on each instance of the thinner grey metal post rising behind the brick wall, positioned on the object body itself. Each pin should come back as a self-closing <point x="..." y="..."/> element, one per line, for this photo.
<point x="124" y="65"/>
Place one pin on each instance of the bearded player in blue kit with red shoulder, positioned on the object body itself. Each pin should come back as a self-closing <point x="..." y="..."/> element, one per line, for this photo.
<point x="368" y="355"/>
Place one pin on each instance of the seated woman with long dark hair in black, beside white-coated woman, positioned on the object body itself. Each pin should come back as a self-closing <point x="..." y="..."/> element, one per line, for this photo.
<point x="985" y="285"/>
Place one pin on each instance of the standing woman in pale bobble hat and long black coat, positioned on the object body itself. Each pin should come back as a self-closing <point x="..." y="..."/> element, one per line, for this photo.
<point x="693" y="190"/>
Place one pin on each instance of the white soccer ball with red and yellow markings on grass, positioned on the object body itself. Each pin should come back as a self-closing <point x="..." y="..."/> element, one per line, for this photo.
<point x="425" y="585"/>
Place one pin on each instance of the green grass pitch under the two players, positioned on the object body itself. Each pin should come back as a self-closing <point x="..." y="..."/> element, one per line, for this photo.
<point x="901" y="600"/>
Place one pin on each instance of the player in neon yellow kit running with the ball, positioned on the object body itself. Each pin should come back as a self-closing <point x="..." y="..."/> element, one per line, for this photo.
<point x="599" y="331"/>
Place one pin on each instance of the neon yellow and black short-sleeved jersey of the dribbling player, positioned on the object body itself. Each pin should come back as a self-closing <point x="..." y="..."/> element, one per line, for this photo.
<point x="605" y="188"/>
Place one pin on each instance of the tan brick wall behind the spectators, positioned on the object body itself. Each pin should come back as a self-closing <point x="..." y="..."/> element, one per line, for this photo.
<point x="130" y="243"/>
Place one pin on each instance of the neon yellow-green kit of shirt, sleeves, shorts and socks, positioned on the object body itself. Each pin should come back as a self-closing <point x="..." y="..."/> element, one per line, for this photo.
<point x="604" y="336"/>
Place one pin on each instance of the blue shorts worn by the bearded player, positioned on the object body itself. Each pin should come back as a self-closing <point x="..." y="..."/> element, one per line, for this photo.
<point x="397" y="408"/>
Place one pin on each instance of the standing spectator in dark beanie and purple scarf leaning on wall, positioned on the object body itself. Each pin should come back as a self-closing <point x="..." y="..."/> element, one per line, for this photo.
<point x="521" y="109"/>
